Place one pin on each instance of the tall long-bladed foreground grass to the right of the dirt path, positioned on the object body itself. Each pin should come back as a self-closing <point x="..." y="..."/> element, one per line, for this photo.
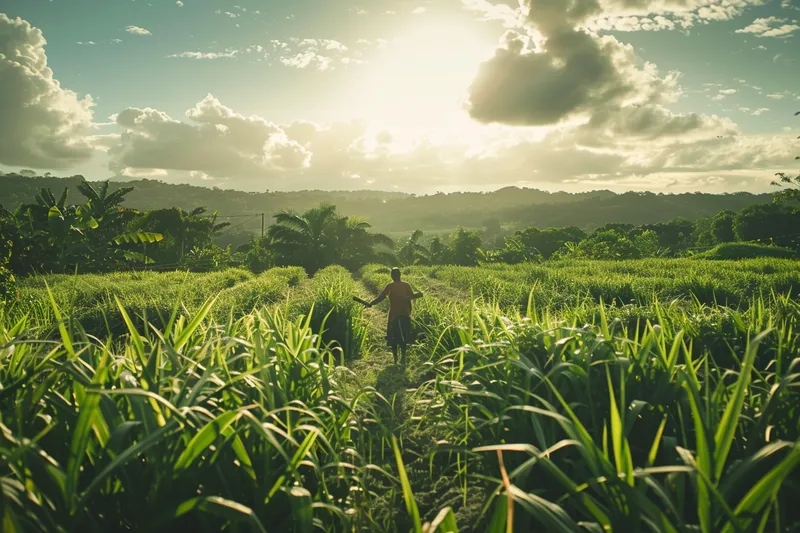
<point x="614" y="429"/>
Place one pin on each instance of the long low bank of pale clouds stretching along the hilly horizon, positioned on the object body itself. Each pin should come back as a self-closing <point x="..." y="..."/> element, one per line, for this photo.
<point x="642" y="147"/>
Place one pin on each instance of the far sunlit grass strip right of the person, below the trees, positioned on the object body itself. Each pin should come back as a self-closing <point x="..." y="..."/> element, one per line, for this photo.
<point x="561" y="283"/>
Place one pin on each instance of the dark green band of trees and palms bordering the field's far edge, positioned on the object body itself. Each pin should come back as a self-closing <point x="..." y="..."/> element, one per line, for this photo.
<point x="100" y="234"/>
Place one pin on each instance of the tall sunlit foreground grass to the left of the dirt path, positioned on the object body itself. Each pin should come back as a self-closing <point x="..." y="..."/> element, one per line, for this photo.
<point x="196" y="426"/>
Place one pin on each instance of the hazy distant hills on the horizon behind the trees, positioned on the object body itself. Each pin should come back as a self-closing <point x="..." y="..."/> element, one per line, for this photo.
<point x="399" y="212"/>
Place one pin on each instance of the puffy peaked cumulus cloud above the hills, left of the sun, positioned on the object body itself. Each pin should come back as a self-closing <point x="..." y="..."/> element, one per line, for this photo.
<point x="219" y="143"/>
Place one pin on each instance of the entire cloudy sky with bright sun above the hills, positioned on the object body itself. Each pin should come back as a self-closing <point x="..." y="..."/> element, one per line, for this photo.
<point x="418" y="96"/>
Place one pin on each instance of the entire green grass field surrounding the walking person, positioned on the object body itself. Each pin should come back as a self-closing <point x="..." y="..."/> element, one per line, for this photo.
<point x="653" y="395"/>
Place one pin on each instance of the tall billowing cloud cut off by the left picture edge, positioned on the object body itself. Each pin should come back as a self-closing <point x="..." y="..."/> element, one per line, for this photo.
<point x="43" y="124"/>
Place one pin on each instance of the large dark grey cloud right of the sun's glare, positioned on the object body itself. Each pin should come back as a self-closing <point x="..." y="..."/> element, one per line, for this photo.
<point x="559" y="71"/>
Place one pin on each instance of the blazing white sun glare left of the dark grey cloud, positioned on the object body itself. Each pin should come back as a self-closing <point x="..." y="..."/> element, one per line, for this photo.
<point x="418" y="81"/>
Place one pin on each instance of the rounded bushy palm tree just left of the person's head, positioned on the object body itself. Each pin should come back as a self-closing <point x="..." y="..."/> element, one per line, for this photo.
<point x="320" y="237"/>
